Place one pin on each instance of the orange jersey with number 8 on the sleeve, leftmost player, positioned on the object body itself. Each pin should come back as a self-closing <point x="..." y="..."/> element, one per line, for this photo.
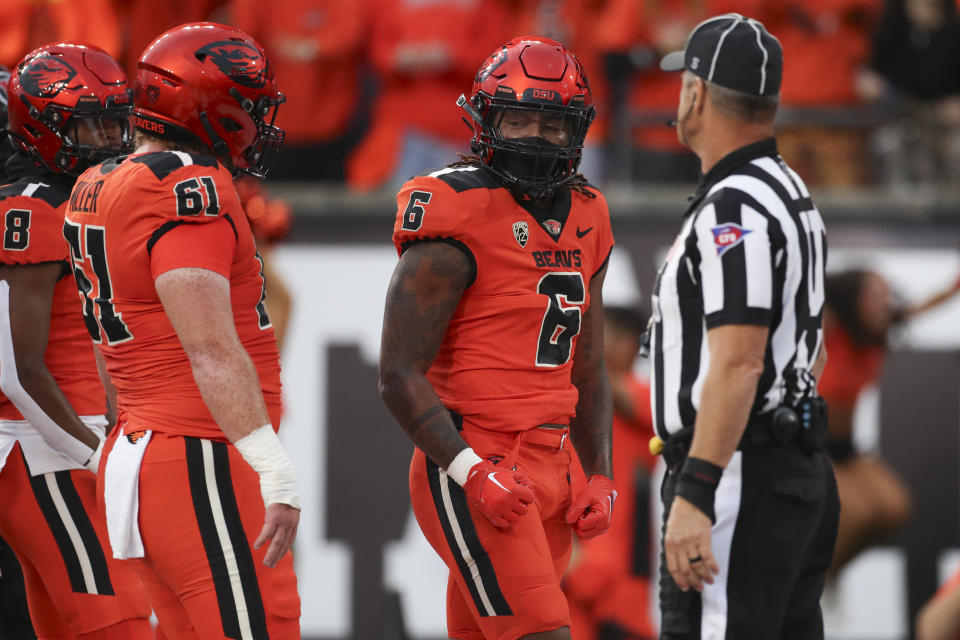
<point x="31" y="212"/>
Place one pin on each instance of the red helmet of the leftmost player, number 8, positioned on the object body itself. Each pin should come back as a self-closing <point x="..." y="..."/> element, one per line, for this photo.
<point x="69" y="107"/>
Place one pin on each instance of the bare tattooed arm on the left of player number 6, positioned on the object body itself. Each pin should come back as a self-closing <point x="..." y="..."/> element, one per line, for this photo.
<point x="423" y="294"/>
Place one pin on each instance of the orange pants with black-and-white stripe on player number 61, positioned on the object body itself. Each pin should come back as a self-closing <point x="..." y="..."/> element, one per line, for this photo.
<point x="200" y="512"/>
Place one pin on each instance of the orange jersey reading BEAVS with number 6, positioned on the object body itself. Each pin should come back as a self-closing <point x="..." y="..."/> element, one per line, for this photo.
<point x="506" y="358"/>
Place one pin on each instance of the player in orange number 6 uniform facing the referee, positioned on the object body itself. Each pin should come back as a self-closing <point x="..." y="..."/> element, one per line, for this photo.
<point x="492" y="348"/>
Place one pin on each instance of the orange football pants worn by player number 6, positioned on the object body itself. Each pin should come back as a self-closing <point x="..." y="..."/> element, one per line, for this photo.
<point x="503" y="583"/>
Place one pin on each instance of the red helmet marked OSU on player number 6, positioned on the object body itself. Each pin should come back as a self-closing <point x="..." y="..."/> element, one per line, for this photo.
<point x="538" y="77"/>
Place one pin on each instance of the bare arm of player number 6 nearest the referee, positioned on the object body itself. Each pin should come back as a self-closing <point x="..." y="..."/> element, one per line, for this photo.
<point x="591" y="428"/>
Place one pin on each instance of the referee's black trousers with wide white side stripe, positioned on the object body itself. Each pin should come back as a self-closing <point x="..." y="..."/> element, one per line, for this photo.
<point x="777" y="512"/>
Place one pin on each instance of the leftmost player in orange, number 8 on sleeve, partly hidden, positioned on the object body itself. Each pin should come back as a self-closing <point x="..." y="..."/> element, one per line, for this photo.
<point x="69" y="107"/>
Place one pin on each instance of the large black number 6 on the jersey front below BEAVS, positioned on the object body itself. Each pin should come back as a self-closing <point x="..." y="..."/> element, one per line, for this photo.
<point x="560" y="323"/>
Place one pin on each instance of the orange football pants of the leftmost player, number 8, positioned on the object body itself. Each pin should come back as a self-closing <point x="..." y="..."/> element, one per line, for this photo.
<point x="75" y="589"/>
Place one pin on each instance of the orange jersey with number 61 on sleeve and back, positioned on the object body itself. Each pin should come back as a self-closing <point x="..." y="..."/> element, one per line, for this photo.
<point x="118" y="211"/>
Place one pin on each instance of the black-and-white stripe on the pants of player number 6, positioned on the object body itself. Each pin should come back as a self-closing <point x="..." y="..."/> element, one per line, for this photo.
<point x="465" y="544"/>
